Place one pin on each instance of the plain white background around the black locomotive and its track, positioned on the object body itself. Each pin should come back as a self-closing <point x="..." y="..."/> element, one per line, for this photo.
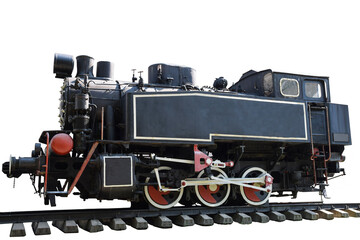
<point x="217" y="38"/>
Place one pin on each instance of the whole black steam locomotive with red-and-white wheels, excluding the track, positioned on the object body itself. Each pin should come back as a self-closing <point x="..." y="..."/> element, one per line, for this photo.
<point x="169" y="142"/>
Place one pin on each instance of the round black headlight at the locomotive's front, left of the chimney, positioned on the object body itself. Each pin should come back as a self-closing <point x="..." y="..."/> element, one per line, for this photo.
<point x="63" y="65"/>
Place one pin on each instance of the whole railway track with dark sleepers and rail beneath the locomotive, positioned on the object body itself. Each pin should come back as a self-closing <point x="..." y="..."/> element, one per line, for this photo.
<point x="92" y="220"/>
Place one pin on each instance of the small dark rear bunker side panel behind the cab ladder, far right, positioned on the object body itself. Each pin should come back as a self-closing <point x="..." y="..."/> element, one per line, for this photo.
<point x="339" y="124"/>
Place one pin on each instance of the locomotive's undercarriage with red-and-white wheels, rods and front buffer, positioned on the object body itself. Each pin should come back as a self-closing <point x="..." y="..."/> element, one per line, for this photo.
<point x="229" y="174"/>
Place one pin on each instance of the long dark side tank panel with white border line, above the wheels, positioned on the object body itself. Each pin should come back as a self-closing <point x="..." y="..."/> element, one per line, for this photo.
<point x="203" y="117"/>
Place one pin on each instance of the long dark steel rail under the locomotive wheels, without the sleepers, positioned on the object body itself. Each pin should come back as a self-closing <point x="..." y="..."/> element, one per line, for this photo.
<point x="127" y="213"/>
